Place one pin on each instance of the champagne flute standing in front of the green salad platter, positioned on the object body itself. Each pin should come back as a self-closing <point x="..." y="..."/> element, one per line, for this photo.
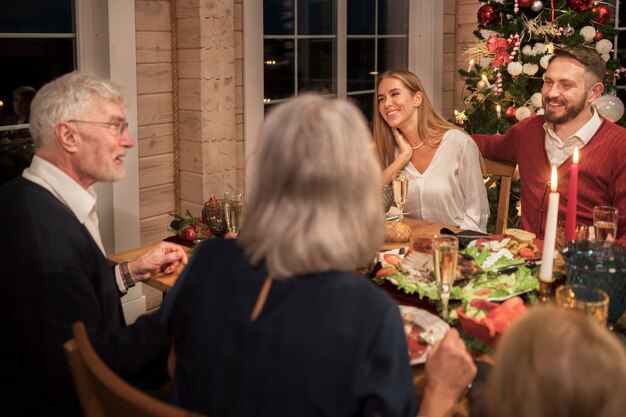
<point x="445" y="253"/>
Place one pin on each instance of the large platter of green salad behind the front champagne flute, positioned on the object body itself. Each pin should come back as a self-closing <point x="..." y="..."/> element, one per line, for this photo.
<point x="479" y="269"/>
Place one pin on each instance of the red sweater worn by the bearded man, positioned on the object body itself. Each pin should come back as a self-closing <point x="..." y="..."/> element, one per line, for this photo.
<point x="601" y="175"/>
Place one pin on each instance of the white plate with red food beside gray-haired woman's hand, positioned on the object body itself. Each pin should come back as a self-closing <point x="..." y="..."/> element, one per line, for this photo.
<point x="422" y="329"/>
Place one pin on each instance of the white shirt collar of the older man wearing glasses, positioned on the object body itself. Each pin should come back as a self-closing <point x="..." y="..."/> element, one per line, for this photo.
<point x="81" y="201"/>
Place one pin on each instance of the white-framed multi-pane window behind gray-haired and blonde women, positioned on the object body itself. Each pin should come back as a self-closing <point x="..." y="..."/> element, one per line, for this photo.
<point x="307" y="48"/>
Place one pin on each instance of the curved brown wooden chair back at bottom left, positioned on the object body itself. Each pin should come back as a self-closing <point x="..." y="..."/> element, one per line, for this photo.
<point x="102" y="392"/>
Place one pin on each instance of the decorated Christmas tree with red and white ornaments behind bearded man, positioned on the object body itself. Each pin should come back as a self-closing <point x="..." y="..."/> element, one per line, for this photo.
<point x="515" y="40"/>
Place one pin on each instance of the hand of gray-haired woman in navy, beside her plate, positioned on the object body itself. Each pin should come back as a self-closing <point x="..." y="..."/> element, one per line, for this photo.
<point x="449" y="371"/>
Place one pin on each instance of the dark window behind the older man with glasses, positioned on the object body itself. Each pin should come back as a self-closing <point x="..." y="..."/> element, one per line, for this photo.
<point x="37" y="44"/>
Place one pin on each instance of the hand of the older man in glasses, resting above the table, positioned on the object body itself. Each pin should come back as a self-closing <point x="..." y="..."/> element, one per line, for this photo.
<point x="164" y="257"/>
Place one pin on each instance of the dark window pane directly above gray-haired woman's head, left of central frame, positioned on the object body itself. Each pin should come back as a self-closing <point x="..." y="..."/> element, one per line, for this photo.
<point x="316" y="65"/>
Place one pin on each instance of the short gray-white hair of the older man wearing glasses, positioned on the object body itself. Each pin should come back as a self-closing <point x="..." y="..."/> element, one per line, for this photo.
<point x="66" y="98"/>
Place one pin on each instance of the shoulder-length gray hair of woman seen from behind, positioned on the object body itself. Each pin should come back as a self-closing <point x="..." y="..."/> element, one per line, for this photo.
<point x="315" y="199"/>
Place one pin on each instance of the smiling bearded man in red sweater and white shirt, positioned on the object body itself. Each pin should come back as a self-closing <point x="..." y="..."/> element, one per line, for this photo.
<point x="571" y="83"/>
